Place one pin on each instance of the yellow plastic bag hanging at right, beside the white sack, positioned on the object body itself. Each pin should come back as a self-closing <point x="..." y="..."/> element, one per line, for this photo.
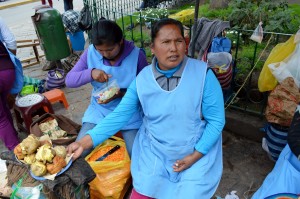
<point x="266" y="80"/>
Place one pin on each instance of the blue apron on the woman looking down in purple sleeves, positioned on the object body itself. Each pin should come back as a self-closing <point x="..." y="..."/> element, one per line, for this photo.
<point x="124" y="74"/>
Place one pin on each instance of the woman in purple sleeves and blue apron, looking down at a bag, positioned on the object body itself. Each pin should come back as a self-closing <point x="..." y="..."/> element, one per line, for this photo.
<point x="109" y="57"/>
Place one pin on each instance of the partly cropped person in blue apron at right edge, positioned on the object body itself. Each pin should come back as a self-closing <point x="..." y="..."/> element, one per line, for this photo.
<point x="285" y="176"/>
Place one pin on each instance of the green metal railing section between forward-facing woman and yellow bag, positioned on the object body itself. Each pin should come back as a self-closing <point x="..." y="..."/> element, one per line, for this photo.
<point x="250" y="63"/>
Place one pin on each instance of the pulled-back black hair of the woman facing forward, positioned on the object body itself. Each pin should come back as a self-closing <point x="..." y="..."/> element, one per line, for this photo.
<point x="163" y="22"/>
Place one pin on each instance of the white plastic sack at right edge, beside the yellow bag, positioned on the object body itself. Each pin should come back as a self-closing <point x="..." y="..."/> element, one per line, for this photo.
<point x="290" y="67"/>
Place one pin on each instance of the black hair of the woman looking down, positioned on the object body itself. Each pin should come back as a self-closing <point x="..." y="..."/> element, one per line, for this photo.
<point x="106" y="32"/>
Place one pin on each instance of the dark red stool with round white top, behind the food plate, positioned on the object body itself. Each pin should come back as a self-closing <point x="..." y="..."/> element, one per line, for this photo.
<point x="29" y="106"/>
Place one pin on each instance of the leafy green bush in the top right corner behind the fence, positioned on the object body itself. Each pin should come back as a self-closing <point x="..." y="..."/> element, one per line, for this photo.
<point x="276" y="16"/>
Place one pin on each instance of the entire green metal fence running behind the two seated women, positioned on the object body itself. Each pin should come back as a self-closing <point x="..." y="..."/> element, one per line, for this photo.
<point x="248" y="56"/>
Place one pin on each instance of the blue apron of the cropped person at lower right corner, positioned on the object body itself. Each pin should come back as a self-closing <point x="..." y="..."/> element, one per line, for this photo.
<point x="284" y="178"/>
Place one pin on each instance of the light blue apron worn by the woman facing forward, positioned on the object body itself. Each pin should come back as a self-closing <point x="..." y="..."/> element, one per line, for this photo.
<point x="172" y="126"/>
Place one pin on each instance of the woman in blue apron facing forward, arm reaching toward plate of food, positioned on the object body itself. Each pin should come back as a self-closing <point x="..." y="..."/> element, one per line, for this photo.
<point x="177" y="152"/>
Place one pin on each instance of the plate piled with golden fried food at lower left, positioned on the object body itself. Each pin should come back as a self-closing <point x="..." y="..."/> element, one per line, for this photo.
<point x="46" y="161"/>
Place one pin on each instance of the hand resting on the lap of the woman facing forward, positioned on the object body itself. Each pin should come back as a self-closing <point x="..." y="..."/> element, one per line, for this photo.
<point x="187" y="161"/>
